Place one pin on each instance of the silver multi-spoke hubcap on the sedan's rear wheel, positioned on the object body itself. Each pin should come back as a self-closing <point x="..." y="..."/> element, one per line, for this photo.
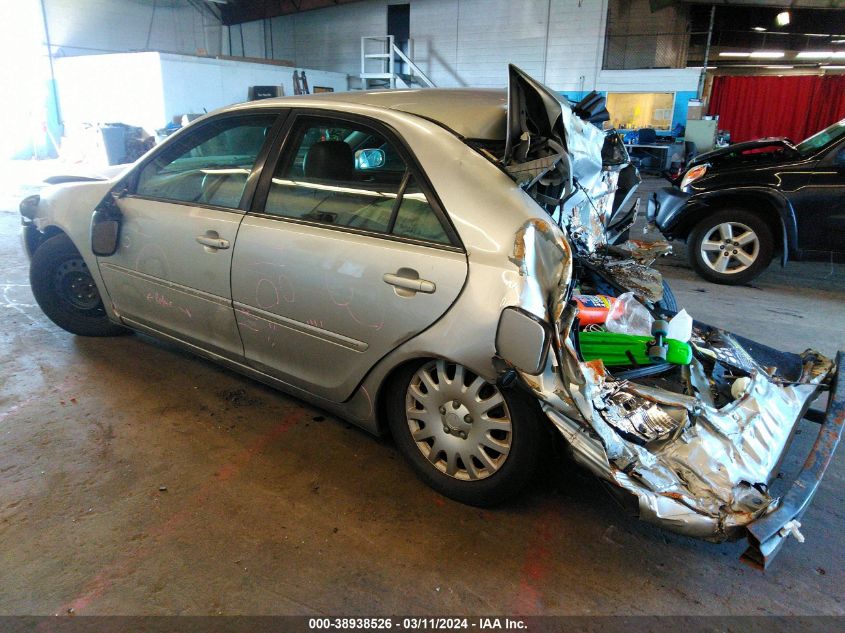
<point x="459" y="421"/>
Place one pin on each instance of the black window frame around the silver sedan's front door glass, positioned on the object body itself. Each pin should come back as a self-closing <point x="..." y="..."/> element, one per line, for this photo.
<point x="280" y="114"/>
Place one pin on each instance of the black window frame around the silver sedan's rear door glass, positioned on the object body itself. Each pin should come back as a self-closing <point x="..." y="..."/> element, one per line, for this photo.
<point x="284" y="153"/>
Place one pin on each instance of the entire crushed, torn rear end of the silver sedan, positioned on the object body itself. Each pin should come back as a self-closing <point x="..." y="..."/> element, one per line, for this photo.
<point x="690" y="446"/>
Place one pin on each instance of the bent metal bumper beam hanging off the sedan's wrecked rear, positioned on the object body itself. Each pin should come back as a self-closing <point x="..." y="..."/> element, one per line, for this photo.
<point x="767" y="534"/>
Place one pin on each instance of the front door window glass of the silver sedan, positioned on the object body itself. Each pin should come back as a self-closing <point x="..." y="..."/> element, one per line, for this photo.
<point x="209" y="165"/>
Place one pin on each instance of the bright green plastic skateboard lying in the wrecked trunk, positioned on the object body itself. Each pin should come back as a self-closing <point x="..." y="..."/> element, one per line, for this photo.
<point x="613" y="349"/>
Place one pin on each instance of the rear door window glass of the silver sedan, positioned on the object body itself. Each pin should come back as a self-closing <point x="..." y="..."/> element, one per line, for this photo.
<point x="345" y="174"/>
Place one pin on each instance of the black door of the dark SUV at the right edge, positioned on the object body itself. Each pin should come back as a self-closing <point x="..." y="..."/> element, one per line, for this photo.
<point x="821" y="218"/>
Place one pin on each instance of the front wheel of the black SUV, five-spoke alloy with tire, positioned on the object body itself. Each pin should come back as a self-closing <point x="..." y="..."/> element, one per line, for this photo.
<point x="731" y="246"/>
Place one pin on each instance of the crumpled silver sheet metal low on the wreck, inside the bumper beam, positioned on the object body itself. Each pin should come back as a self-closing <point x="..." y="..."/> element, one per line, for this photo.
<point x="693" y="468"/>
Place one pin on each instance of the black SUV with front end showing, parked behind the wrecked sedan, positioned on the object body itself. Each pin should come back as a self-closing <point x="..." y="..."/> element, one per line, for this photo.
<point x="739" y="205"/>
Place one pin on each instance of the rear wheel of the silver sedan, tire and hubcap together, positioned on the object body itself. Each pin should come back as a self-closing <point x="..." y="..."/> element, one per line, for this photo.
<point x="462" y="435"/>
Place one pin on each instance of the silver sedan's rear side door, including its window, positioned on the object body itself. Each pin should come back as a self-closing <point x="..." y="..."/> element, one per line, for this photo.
<point x="345" y="255"/>
